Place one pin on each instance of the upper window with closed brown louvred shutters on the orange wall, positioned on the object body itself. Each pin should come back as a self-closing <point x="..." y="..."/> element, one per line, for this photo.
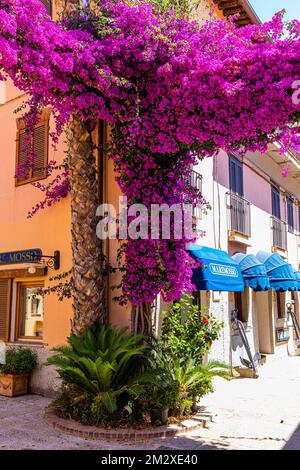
<point x="37" y="170"/>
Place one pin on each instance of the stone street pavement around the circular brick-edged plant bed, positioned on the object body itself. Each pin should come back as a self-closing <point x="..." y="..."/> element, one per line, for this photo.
<point x="259" y="413"/>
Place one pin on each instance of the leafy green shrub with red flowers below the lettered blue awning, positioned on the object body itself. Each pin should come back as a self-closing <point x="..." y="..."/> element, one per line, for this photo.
<point x="187" y="331"/>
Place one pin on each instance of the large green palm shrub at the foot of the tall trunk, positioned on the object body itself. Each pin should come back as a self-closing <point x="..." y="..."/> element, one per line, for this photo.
<point x="102" y="365"/>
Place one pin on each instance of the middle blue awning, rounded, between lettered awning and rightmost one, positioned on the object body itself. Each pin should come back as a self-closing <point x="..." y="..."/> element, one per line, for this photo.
<point x="253" y="272"/>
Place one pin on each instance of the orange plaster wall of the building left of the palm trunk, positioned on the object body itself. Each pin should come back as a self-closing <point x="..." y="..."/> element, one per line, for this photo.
<point x="49" y="229"/>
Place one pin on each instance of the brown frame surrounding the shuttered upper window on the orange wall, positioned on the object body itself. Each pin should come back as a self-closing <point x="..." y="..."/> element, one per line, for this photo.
<point x="21" y="130"/>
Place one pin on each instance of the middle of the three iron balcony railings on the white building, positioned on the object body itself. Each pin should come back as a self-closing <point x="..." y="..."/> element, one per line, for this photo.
<point x="239" y="214"/>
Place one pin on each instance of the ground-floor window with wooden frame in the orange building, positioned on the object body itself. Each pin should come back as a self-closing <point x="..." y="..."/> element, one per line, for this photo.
<point x="30" y="311"/>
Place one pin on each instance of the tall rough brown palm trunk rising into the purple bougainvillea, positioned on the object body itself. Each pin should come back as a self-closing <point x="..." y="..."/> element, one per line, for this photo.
<point x="89" y="285"/>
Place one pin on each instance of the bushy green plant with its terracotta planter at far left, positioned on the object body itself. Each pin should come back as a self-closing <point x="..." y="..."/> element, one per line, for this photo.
<point x="14" y="374"/>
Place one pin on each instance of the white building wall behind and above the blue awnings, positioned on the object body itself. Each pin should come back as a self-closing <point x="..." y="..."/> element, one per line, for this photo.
<point x="259" y="172"/>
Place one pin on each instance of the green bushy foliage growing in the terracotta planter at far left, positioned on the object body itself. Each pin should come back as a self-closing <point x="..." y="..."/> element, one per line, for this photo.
<point x="19" y="361"/>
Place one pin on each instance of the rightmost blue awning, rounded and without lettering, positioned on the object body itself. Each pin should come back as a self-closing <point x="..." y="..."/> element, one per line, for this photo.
<point x="281" y="274"/>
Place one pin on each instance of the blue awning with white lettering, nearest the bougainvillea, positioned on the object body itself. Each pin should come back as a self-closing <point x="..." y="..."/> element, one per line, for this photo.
<point x="219" y="272"/>
